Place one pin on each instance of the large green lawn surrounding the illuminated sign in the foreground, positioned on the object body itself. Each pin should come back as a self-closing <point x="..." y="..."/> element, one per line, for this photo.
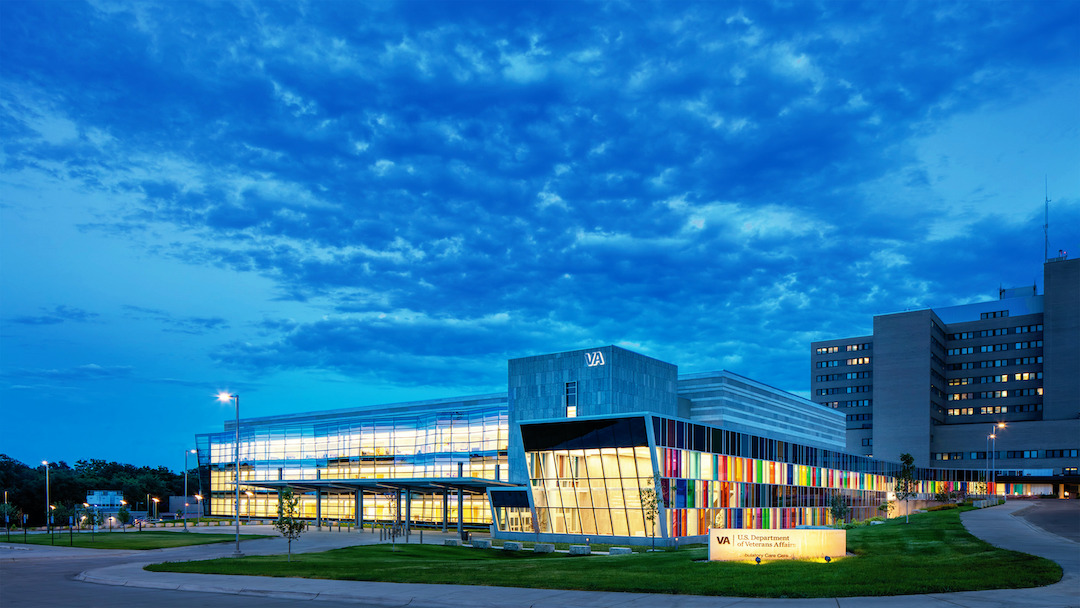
<point x="933" y="555"/>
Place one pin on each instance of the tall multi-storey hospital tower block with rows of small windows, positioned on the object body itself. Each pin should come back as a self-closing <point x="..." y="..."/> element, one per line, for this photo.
<point x="992" y="386"/>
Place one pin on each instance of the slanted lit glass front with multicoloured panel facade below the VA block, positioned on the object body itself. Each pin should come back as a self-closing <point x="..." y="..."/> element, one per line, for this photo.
<point x="588" y="477"/>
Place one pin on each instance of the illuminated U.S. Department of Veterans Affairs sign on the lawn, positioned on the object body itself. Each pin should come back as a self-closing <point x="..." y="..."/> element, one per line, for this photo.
<point x="728" y="545"/>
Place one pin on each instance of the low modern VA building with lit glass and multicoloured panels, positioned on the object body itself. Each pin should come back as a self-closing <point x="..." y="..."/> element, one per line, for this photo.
<point x="575" y="449"/>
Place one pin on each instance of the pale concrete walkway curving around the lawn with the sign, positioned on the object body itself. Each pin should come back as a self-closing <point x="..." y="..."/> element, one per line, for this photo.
<point x="996" y="525"/>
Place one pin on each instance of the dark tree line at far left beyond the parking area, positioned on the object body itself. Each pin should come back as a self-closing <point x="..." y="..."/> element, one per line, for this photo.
<point x="25" y="487"/>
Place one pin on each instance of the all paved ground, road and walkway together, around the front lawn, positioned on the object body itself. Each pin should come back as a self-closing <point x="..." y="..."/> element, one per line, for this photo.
<point x="1042" y="529"/>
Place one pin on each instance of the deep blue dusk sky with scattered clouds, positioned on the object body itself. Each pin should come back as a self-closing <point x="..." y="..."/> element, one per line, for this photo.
<point x="321" y="206"/>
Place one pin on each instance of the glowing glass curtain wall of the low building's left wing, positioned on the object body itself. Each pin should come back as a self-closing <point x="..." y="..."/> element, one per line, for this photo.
<point x="398" y="443"/>
